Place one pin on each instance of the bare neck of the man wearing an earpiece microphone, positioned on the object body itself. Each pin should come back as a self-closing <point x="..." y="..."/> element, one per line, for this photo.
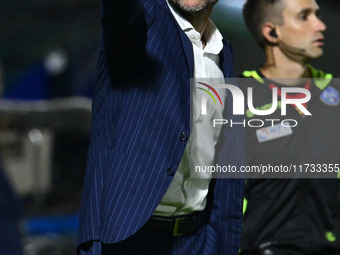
<point x="278" y="65"/>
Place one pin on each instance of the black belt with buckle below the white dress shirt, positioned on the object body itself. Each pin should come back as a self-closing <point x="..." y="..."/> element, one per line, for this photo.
<point x="178" y="226"/>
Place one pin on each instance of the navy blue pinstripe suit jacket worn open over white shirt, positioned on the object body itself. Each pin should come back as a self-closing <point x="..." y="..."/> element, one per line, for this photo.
<point x="141" y="107"/>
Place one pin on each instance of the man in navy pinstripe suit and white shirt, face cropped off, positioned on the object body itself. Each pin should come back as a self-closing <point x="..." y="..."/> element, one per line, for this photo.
<point x="139" y="197"/>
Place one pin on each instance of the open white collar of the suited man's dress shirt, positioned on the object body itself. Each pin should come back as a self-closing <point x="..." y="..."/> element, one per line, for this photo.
<point x="214" y="44"/>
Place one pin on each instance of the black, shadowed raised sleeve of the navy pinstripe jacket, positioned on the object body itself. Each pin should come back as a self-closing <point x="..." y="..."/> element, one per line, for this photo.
<point x="125" y="25"/>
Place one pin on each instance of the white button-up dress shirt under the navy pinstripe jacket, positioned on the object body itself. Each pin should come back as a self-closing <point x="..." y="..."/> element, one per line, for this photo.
<point x="188" y="191"/>
